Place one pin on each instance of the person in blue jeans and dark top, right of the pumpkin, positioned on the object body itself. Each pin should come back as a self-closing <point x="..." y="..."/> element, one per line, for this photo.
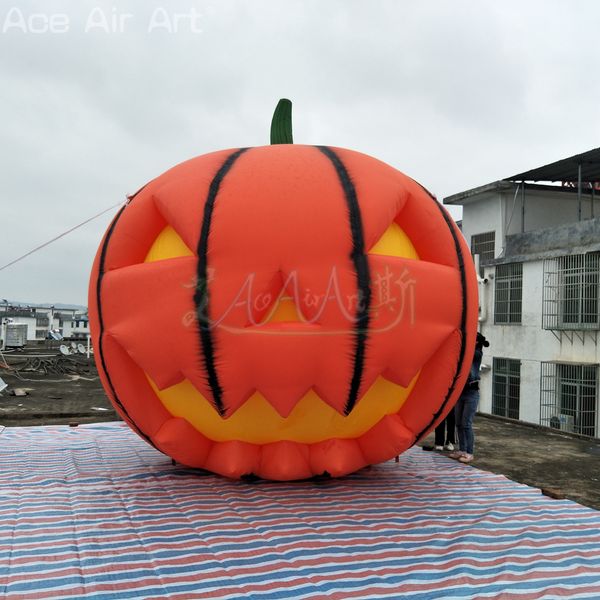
<point x="466" y="407"/>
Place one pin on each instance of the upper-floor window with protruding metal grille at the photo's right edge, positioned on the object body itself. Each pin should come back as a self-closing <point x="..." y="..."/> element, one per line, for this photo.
<point x="571" y="291"/>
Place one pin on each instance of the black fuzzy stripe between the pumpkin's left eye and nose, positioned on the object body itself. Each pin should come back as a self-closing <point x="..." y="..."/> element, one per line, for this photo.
<point x="201" y="295"/>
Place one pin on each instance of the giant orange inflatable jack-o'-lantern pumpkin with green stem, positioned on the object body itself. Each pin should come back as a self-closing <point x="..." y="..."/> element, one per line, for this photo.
<point x="283" y="311"/>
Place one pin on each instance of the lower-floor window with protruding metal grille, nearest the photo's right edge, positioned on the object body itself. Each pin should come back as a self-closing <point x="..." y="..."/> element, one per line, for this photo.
<point x="568" y="397"/>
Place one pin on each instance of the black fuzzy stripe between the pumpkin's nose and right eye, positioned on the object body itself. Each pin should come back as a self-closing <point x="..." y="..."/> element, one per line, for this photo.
<point x="363" y="277"/>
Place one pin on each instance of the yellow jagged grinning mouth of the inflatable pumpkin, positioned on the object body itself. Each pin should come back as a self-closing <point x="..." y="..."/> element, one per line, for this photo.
<point x="257" y="422"/>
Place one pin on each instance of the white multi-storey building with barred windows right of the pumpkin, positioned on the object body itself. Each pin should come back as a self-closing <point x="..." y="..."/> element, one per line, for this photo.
<point x="539" y="249"/>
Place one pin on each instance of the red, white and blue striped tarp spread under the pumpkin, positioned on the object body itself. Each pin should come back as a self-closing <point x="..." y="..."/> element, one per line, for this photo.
<point x="94" y="511"/>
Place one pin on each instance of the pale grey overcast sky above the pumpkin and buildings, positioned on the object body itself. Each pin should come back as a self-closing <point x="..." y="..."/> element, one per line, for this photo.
<point x="454" y="93"/>
